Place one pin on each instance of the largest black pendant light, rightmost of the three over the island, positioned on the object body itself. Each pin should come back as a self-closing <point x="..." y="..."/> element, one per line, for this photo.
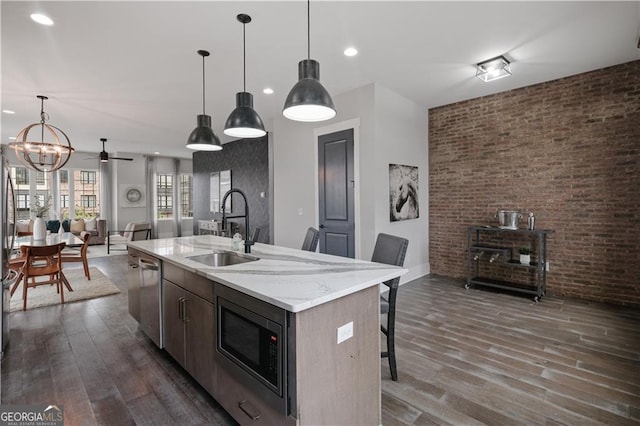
<point x="308" y="100"/>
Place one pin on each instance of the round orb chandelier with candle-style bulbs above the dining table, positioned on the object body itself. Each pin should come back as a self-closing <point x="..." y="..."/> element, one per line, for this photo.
<point x="46" y="153"/>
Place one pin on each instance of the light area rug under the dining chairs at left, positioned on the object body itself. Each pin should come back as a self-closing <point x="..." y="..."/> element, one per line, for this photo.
<point x="46" y="295"/>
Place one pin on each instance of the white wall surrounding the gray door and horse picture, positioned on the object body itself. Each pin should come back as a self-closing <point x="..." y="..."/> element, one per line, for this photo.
<point x="392" y="129"/>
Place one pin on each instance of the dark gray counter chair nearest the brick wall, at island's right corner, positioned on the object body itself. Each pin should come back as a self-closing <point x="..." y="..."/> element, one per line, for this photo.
<point x="391" y="250"/>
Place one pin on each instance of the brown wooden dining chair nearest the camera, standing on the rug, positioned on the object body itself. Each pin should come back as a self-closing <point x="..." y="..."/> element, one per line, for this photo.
<point x="43" y="262"/>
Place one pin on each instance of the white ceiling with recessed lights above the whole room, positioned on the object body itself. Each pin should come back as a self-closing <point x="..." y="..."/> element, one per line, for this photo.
<point x="129" y="71"/>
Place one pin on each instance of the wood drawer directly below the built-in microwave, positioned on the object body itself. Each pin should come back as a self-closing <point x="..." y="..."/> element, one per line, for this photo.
<point x="244" y="406"/>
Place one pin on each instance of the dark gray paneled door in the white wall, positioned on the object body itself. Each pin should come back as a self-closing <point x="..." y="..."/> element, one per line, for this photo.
<point x="335" y="189"/>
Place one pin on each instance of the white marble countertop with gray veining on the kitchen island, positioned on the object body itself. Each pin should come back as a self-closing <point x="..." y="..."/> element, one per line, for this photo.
<point x="291" y="279"/>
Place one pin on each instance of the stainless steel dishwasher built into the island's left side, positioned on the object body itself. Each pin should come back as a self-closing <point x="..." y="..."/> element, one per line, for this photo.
<point x="150" y="298"/>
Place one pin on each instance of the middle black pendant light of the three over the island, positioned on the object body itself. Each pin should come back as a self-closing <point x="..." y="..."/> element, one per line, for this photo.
<point x="244" y="121"/>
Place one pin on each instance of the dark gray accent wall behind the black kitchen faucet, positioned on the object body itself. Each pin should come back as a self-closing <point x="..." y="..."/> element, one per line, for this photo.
<point x="248" y="160"/>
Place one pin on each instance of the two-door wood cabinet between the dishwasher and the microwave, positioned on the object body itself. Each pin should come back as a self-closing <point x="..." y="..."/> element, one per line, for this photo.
<point x="189" y="323"/>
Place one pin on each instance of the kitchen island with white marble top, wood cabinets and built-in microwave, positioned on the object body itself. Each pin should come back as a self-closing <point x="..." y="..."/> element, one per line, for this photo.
<point x="321" y="314"/>
